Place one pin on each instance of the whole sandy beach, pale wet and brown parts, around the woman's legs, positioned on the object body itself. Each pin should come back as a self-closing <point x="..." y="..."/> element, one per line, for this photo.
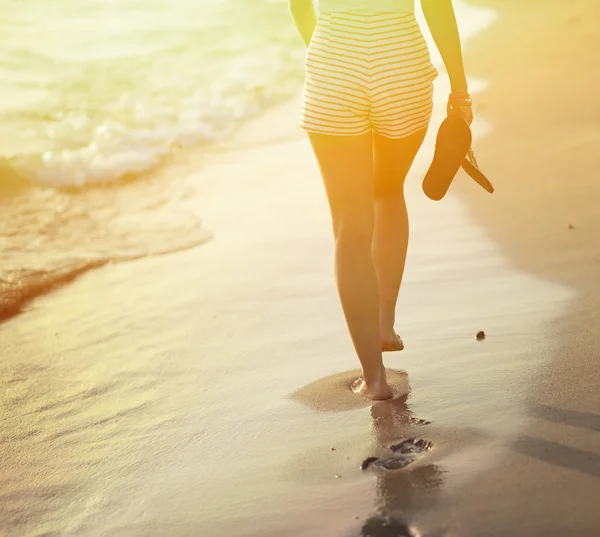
<point x="205" y="392"/>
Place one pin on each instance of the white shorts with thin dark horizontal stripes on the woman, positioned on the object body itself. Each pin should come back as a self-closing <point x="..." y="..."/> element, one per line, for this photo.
<point x="367" y="72"/>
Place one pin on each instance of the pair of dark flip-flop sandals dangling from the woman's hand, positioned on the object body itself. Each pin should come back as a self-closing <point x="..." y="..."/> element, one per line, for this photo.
<point x="452" y="151"/>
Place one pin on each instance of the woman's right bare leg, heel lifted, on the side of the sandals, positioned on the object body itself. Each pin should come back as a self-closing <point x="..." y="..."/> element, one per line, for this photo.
<point x="392" y="161"/>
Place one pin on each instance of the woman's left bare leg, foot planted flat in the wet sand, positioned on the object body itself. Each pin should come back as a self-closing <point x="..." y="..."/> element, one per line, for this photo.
<point x="346" y="164"/>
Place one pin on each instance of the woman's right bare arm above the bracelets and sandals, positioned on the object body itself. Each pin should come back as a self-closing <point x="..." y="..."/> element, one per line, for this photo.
<point x="441" y="20"/>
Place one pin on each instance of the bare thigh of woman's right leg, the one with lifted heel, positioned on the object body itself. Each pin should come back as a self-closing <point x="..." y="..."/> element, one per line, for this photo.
<point x="393" y="158"/>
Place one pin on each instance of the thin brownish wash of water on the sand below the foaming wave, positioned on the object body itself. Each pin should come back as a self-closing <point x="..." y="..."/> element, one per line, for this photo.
<point x="49" y="237"/>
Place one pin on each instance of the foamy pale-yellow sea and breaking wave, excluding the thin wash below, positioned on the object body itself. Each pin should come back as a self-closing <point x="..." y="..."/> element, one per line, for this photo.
<point x="93" y="90"/>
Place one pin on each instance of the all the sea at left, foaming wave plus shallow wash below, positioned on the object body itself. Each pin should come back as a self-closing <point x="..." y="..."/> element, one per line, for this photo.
<point x="93" y="92"/>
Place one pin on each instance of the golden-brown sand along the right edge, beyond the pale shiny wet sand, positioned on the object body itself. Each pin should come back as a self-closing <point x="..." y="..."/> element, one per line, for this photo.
<point x="546" y="218"/>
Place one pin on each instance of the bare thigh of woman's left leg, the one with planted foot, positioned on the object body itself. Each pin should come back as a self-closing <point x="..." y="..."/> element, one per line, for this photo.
<point x="346" y="164"/>
